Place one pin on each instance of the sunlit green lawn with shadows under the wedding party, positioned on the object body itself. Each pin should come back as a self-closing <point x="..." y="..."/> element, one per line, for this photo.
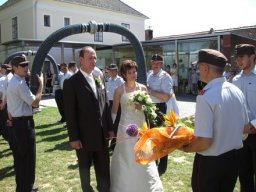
<point x="57" y="169"/>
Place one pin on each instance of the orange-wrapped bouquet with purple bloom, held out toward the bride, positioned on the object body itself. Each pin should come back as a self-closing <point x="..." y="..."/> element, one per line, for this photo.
<point x="159" y="141"/>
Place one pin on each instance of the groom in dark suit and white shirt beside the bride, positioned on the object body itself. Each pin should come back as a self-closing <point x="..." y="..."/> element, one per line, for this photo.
<point x="89" y="121"/>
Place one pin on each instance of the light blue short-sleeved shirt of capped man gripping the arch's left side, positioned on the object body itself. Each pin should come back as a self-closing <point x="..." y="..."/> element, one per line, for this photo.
<point x="19" y="97"/>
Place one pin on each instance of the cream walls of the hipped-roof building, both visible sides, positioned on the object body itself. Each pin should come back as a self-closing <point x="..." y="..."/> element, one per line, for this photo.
<point x="30" y="14"/>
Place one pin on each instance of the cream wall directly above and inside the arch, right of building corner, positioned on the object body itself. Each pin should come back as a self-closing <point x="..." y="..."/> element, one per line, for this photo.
<point x="81" y="14"/>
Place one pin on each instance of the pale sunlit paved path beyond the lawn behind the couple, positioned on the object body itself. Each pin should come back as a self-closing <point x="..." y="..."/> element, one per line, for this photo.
<point x="186" y="104"/>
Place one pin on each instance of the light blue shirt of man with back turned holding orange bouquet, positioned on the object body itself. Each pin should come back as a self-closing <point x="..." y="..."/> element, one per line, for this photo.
<point x="221" y="115"/>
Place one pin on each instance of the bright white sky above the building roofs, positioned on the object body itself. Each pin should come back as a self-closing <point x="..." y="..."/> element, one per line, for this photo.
<point x="174" y="17"/>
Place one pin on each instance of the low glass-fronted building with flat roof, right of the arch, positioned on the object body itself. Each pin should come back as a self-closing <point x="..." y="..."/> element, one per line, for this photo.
<point x="183" y="49"/>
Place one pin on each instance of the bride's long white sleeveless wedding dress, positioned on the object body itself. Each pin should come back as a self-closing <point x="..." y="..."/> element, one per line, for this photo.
<point x="126" y="174"/>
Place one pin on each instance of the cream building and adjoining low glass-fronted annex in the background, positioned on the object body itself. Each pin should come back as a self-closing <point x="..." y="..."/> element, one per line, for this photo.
<point x="25" y="24"/>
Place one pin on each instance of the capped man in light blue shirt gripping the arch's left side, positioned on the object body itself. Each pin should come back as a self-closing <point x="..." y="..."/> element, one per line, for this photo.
<point x="20" y="101"/>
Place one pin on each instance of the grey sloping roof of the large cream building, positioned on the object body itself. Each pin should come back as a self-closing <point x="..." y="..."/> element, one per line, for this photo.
<point x="111" y="5"/>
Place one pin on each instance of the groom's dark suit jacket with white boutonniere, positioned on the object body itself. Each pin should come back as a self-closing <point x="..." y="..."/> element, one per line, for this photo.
<point x="88" y="118"/>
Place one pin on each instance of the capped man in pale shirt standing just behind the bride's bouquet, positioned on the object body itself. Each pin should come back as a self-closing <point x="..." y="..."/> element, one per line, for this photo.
<point x="160" y="90"/>
